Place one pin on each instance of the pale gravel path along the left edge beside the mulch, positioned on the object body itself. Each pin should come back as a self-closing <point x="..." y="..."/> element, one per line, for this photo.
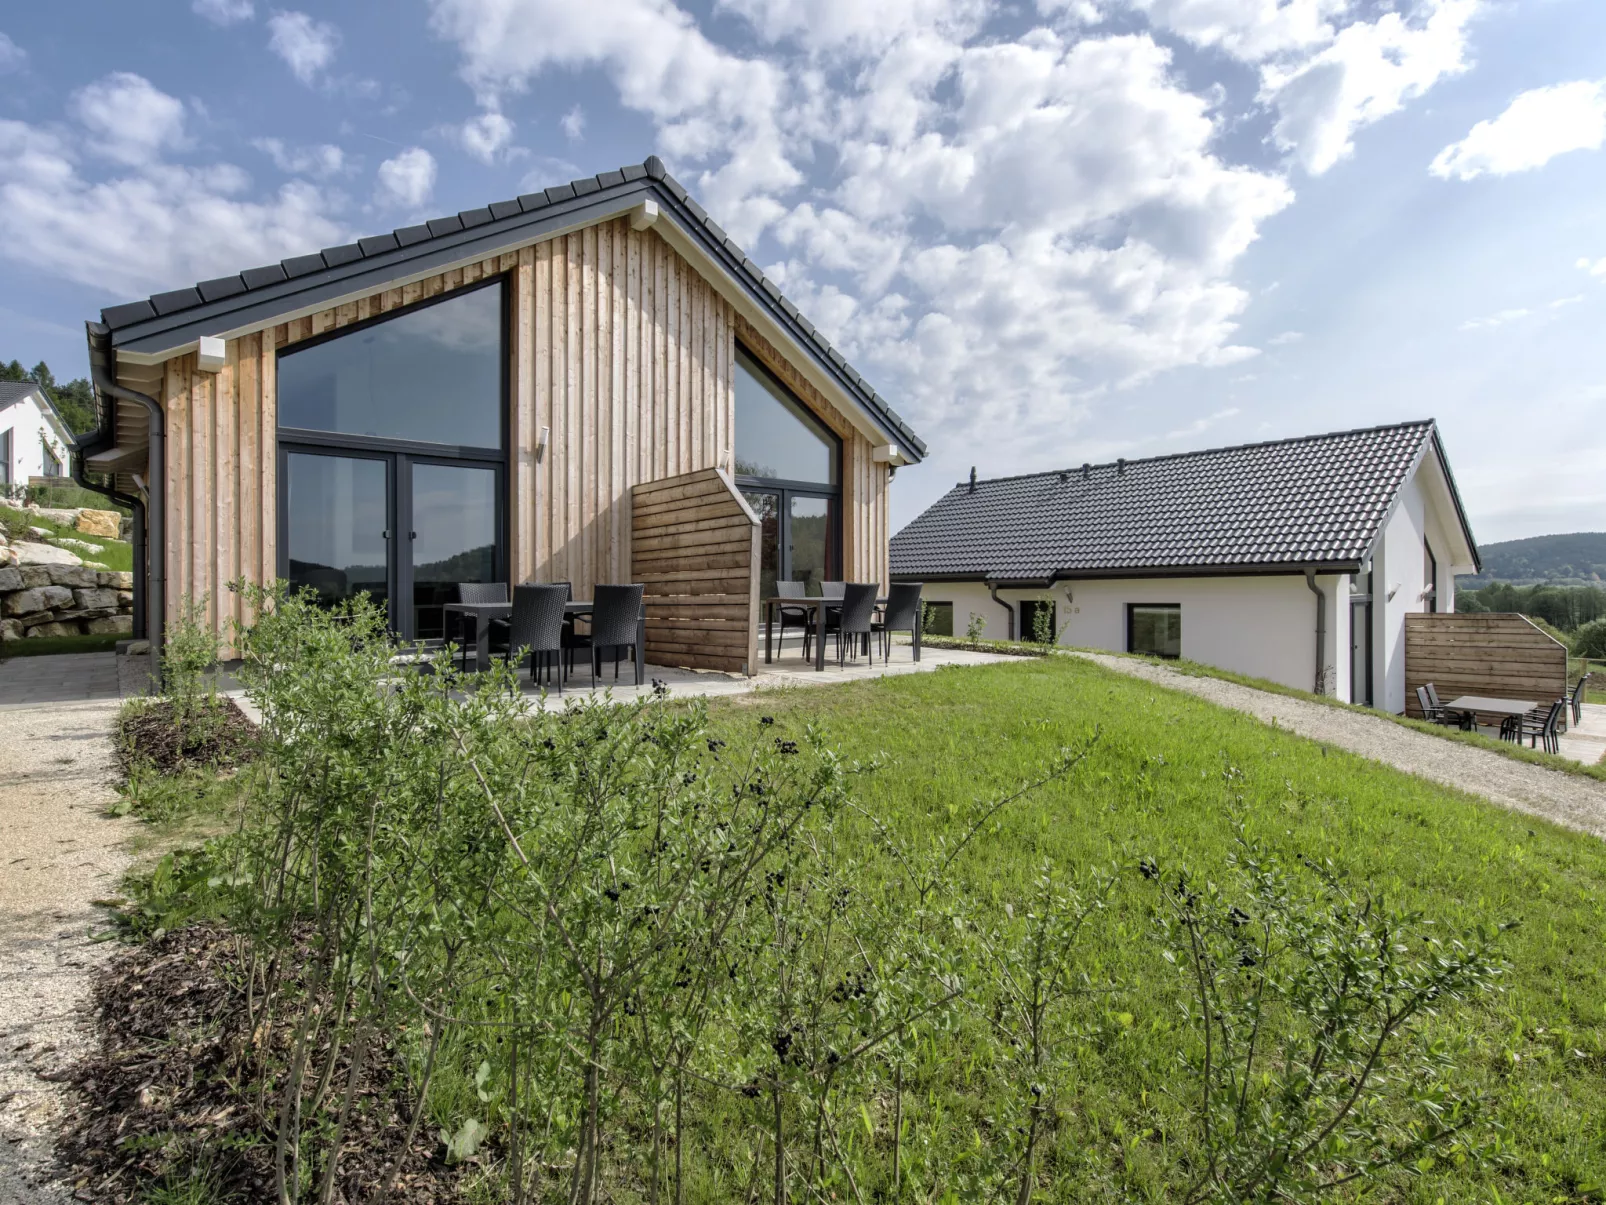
<point x="60" y="852"/>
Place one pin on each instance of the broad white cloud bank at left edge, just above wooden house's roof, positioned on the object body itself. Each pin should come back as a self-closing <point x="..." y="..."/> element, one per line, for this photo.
<point x="152" y="224"/>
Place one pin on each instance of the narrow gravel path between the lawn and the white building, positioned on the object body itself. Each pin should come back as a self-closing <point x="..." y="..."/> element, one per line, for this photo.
<point x="1565" y="799"/>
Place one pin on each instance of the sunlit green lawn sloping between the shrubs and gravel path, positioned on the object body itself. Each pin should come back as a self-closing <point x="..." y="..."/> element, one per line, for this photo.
<point x="1167" y="780"/>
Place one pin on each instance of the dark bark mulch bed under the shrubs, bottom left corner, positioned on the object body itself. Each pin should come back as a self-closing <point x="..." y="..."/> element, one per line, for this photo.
<point x="166" y="1092"/>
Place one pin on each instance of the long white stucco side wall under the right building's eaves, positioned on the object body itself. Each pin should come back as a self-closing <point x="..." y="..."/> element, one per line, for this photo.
<point x="1257" y="626"/>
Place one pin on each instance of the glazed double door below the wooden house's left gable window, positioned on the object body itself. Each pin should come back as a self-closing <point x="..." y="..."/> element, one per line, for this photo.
<point x="391" y="526"/>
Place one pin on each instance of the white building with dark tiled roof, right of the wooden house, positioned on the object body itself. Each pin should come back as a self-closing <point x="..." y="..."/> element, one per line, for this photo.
<point x="1294" y="562"/>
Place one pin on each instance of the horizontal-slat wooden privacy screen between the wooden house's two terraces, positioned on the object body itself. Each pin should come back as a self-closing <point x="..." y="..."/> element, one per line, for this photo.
<point x="695" y="547"/>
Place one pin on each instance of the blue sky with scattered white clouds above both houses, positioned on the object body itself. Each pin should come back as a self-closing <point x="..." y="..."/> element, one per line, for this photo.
<point x="1050" y="231"/>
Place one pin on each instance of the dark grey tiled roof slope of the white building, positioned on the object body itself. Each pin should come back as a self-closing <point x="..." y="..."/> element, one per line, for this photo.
<point x="1315" y="500"/>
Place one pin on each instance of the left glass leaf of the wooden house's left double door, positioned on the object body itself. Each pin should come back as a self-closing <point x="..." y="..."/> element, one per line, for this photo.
<point x="336" y="526"/>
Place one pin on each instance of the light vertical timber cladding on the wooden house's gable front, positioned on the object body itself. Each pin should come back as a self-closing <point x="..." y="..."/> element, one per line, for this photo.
<point x="616" y="346"/>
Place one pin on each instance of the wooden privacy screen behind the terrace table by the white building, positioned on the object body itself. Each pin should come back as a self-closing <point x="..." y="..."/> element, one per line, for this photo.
<point x="1491" y="655"/>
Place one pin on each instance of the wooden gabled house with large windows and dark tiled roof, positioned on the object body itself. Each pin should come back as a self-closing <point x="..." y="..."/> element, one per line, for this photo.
<point x="587" y="385"/>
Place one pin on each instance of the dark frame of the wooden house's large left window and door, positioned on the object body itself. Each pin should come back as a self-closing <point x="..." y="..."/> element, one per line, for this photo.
<point x="402" y="454"/>
